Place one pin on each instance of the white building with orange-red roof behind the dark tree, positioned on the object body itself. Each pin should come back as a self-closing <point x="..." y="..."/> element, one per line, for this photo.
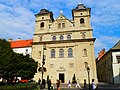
<point x="22" y="46"/>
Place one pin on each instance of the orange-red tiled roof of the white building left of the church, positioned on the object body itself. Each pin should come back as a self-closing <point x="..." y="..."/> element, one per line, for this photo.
<point x="21" y="43"/>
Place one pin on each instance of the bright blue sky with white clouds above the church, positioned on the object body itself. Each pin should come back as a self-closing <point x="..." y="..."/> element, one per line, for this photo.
<point x="17" y="18"/>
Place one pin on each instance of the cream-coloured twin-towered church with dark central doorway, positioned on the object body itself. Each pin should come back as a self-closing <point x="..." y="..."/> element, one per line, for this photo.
<point x="67" y="46"/>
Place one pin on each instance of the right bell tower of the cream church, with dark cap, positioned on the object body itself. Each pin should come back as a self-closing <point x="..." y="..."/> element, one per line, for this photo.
<point x="81" y="16"/>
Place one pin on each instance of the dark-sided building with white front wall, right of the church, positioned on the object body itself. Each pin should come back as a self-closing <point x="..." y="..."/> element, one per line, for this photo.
<point x="108" y="65"/>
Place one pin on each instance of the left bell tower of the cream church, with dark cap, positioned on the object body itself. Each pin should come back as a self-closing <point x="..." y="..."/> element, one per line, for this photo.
<point x="44" y="19"/>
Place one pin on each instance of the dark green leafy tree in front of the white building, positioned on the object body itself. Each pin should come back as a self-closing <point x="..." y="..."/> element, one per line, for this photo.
<point x="15" y="65"/>
